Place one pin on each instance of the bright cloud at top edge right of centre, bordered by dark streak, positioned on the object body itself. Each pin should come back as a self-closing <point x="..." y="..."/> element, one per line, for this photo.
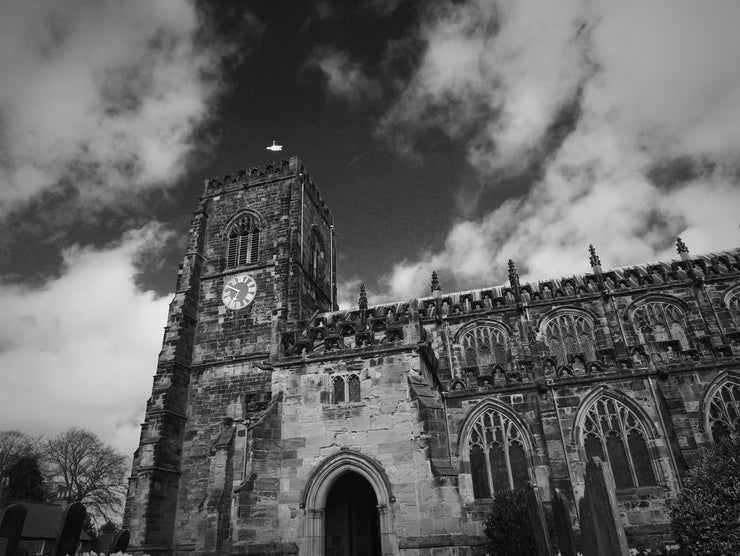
<point x="489" y="76"/>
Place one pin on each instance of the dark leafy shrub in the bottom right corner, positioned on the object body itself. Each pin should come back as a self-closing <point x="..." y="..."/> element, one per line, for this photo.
<point x="705" y="518"/>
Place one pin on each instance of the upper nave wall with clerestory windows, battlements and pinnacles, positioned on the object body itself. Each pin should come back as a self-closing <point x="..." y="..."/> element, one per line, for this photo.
<point x="650" y="319"/>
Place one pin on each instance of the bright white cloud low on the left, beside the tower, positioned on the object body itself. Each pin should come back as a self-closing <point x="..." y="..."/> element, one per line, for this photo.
<point x="81" y="349"/>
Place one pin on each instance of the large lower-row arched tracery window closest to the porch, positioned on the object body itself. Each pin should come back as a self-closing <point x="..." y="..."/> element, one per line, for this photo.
<point x="498" y="459"/>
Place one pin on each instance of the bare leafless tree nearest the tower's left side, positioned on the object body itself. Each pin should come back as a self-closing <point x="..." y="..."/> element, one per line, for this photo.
<point x="84" y="469"/>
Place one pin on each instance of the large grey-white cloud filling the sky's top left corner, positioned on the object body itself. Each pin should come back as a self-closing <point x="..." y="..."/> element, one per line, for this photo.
<point x="104" y="97"/>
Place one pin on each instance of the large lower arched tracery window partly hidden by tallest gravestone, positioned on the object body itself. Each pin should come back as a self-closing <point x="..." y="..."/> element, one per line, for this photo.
<point x="613" y="433"/>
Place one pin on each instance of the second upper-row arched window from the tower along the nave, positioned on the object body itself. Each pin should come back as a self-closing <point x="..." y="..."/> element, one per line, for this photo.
<point x="570" y="334"/>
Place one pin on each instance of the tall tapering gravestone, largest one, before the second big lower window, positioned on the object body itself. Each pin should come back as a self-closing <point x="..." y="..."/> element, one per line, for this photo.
<point x="602" y="533"/>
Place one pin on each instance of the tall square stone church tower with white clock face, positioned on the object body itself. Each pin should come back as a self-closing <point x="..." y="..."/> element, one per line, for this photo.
<point x="260" y="252"/>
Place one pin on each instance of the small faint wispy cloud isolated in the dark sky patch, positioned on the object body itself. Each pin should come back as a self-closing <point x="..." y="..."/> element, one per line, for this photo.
<point x="345" y="78"/>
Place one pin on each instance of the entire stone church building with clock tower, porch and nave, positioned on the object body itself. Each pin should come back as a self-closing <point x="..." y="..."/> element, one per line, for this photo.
<point x="278" y="424"/>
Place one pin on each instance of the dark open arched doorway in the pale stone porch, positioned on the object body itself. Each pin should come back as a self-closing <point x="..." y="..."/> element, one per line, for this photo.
<point x="351" y="518"/>
